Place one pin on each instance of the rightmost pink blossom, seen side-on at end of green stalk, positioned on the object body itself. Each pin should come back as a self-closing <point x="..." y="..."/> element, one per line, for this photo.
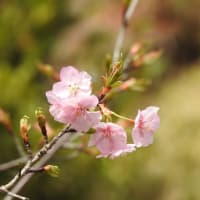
<point x="146" y="123"/>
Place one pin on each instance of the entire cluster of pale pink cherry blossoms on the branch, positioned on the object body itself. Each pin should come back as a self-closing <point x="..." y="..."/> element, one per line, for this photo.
<point x="73" y="103"/>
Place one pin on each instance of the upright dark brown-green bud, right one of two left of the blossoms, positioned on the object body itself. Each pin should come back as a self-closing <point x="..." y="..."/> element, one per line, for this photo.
<point x="42" y="123"/>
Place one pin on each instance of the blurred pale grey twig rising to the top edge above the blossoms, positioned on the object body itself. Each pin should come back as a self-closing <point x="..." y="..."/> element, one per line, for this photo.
<point x="121" y="34"/>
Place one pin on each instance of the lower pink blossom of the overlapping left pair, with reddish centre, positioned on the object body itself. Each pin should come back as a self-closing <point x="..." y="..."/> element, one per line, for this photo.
<point x="75" y="111"/>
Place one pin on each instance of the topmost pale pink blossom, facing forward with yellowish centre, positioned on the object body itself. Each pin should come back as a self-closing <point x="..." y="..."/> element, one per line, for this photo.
<point x="72" y="83"/>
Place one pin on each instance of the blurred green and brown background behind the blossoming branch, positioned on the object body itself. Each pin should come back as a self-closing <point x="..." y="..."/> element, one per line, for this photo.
<point x="81" y="33"/>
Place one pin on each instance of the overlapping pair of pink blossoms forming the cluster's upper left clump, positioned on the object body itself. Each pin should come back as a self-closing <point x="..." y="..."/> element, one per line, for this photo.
<point x="71" y="100"/>
